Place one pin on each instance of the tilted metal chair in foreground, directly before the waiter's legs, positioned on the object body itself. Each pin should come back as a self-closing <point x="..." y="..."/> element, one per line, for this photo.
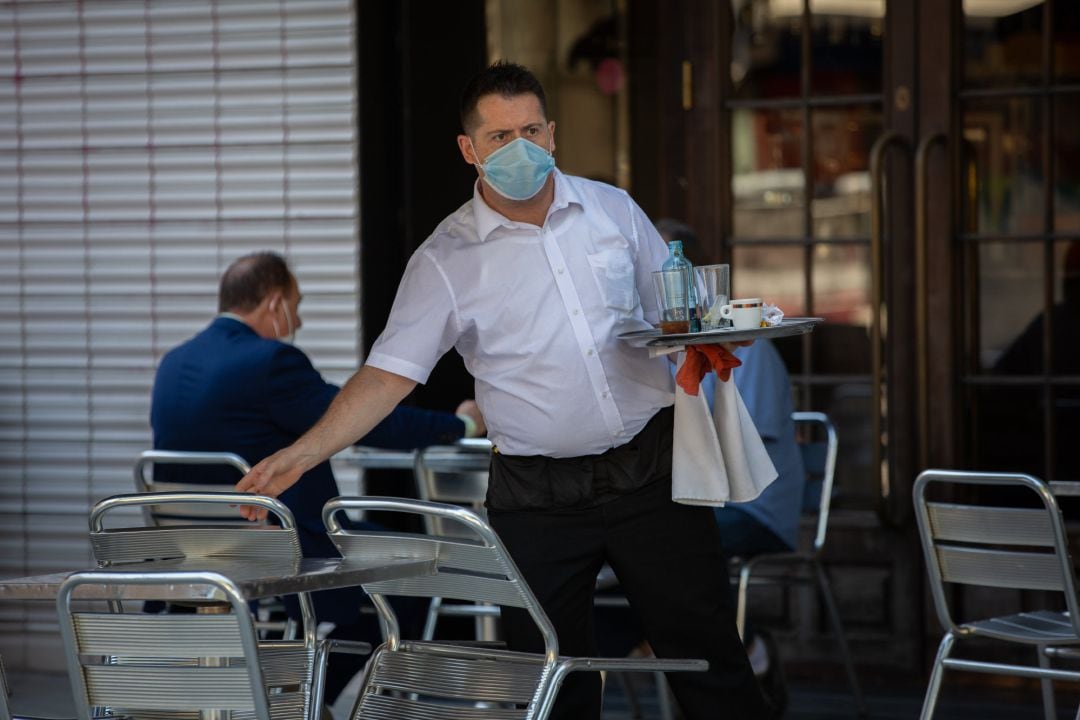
<point x="417" y="681"/>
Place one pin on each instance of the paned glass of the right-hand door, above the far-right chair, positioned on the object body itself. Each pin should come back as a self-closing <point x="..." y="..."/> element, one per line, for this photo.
<point x="1019" y="239"/>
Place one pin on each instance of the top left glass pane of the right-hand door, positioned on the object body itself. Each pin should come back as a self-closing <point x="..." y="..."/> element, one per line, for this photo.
<point x="1003" y="43"/>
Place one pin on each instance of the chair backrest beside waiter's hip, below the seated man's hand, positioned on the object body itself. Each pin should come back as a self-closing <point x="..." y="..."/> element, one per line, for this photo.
<point x="455" y="476"/>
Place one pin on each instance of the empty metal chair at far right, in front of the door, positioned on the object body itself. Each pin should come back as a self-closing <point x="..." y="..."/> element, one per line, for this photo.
<point x="979" y="544"/>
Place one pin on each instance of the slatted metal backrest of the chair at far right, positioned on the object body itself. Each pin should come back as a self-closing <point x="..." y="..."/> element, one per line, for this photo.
<point x="979" y="541"/>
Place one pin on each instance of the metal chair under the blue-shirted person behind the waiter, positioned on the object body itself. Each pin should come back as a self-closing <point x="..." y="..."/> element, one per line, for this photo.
<point x="819" y="460"/>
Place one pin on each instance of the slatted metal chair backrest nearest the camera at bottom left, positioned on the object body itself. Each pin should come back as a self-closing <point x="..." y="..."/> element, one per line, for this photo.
<point x="168" y="665"/>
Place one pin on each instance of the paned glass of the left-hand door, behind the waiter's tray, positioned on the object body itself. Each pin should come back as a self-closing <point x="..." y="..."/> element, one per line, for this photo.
<point x="806" y="106"/>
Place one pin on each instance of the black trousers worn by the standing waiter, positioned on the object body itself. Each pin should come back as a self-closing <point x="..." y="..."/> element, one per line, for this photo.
<point x="667" y="556"/>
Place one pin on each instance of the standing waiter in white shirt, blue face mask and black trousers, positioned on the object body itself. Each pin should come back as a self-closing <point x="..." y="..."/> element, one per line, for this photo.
<point x="532" y="281"/>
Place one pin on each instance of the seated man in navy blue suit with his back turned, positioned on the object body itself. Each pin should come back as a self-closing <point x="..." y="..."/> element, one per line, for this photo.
<point x="241" y="387"/>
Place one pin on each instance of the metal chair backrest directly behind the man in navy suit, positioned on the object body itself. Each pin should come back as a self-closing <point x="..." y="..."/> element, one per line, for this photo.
<point x="180" y="513"/>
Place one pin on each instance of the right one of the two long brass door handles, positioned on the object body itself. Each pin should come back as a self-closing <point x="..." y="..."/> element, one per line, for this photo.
<point x="922" y="283"/>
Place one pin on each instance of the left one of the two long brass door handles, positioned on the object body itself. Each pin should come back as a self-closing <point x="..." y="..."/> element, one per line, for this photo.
<point x="890" y="511"/>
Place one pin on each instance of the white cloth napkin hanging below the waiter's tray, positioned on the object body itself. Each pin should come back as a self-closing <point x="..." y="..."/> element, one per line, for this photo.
<point x="719" y="457"/>
